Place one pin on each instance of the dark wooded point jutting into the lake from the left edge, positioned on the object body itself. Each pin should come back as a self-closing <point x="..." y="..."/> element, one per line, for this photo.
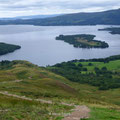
<point x="8" y="48"/>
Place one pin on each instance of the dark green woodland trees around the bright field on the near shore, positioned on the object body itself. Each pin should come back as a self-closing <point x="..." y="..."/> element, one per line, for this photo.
<point x="100" y="77"/>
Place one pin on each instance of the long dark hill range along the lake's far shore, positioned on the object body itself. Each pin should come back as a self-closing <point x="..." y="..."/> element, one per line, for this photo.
<point x="111" y="17"/>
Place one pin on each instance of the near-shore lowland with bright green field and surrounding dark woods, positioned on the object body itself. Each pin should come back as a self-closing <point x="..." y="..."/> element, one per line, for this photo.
<point x="102" y="73"/>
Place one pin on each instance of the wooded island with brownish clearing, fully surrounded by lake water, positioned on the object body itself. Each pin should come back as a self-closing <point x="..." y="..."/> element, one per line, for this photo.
<point x="83" y="41"/>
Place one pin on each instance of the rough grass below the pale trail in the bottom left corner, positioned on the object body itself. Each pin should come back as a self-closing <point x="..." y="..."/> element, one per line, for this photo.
<point x="17" y="109"/>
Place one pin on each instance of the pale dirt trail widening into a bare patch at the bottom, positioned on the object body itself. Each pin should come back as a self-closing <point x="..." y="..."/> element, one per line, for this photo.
<point x="78" y="113"/>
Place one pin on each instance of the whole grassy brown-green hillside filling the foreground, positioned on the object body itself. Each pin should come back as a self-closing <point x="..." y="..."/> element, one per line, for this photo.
<point x="26" y="92"/>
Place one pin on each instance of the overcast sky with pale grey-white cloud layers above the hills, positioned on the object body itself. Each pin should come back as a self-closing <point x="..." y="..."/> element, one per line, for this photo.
<point x="12" y="8"/>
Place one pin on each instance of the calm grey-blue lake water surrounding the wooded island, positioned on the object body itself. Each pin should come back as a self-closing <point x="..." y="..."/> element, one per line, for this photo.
<point x="40" y="47"/>
